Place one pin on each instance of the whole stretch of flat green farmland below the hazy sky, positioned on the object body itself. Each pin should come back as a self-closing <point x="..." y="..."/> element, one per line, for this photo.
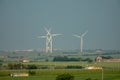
<point x="45" y="67"/>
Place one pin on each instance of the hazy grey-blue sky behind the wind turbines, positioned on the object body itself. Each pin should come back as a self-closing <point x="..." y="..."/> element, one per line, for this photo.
<point x="22" y="21"/>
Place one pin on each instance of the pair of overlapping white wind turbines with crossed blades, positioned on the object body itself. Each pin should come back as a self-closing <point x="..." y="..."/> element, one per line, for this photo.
<point x="49" y="40"/>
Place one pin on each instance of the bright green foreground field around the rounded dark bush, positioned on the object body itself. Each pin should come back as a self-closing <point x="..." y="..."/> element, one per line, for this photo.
<point x="79" y="74"/>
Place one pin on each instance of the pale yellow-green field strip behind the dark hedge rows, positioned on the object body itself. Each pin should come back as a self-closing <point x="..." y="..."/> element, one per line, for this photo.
<point x="113" y="65"/>
